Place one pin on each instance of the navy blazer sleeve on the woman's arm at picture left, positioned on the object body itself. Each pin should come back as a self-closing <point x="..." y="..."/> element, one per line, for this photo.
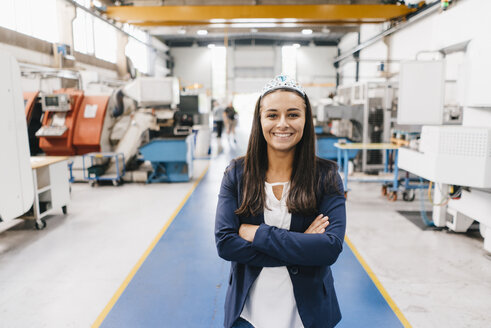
<point x="230" y="245"/>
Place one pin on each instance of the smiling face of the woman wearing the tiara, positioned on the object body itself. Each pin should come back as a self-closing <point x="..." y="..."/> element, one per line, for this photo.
<point x="282" y="119"/>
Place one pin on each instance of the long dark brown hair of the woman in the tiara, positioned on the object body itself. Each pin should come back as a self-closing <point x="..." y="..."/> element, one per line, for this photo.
<point x="301" y="197"/>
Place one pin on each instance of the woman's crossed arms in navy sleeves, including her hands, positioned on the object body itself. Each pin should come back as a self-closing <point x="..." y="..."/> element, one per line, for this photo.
<point x="269" y="246"/>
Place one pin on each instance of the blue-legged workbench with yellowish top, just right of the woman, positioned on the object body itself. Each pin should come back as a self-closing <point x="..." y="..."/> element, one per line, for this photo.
<point x="390" y="149"/>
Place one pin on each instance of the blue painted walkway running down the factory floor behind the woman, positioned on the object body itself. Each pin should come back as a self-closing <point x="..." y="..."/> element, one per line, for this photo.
<point x="182" y="282"/>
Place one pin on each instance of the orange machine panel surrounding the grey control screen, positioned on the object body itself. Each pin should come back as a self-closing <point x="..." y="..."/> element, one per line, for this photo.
<point x="62" y="145"/>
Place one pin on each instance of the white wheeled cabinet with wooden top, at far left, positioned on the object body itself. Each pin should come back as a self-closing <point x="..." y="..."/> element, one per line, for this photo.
<point x="51" y="187"/>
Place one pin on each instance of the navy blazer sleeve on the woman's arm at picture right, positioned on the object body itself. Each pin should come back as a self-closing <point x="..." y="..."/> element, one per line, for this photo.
<point x="308" y="249"/>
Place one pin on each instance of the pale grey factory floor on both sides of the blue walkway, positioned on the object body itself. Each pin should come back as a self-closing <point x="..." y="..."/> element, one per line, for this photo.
<point x="65" y="275"/>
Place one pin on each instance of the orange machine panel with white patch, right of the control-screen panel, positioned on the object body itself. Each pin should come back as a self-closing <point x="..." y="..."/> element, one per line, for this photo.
<point x="88" y="130"/>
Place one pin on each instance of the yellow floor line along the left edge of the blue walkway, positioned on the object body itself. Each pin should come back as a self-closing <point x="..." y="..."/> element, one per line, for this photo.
<point x="137" y="266"/>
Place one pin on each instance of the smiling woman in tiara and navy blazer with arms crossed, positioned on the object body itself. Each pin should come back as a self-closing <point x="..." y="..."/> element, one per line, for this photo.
<point x="281" y="219"/>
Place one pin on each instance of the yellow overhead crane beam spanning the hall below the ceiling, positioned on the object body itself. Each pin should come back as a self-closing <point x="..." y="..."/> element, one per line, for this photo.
<point x="302" y="14"/>
